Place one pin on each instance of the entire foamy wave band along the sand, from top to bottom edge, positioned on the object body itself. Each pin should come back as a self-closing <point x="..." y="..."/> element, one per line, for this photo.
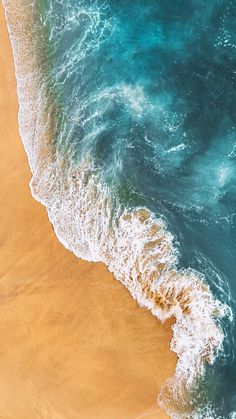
<point x="132" y="242"/>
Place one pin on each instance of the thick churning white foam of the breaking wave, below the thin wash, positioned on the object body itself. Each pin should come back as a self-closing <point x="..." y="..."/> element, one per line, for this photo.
<point x="138" y="249"/>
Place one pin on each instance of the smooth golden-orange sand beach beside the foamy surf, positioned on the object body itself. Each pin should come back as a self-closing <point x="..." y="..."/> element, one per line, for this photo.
<point x="74" y="345"/>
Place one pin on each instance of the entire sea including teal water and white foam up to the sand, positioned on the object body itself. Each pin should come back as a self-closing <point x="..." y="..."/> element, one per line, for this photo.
<point x="127" y="113"/>
